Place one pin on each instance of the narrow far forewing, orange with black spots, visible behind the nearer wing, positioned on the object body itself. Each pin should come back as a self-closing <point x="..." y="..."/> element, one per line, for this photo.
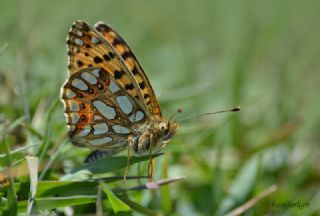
<point x="132" y="63"/>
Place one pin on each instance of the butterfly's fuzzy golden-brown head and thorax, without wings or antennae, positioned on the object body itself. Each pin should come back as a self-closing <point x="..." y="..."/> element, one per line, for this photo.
<point x="153" y="136"/>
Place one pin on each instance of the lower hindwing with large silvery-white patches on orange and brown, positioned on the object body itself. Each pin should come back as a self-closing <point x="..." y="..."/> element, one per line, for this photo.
<point x="99" y="112"/>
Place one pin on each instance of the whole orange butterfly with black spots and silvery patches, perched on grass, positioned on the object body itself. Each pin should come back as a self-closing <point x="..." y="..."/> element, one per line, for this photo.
<point x="109" y="102"/>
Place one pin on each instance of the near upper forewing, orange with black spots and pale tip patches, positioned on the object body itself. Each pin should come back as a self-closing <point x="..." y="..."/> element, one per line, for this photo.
<point x="88" y="48"/>
